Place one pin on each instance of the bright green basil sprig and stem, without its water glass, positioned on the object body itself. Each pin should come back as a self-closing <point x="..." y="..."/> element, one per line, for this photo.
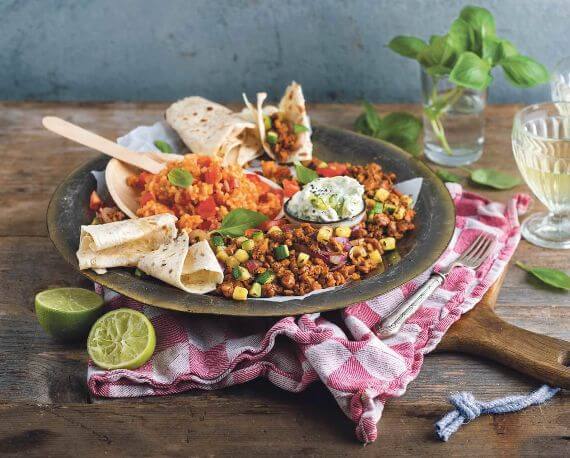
<point x="466" y="54"/>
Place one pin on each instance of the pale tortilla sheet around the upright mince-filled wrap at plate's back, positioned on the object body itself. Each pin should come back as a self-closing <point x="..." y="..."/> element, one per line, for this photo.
<point x="293" y="108"/>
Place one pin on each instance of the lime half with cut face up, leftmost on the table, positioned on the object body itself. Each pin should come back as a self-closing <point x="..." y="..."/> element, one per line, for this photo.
<point x="68" y="313"/>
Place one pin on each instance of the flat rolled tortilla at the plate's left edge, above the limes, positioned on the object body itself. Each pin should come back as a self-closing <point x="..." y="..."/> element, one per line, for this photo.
<point x="123" y="243"/>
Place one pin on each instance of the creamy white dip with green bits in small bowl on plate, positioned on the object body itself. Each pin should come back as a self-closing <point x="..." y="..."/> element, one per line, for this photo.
<point x="327" y="200"/>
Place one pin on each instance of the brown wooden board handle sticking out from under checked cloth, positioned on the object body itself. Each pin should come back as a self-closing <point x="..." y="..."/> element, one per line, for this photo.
<point x="481" y="332"/>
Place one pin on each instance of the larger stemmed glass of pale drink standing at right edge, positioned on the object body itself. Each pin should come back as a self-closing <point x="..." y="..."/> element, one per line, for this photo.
<point x="541" y="146"/>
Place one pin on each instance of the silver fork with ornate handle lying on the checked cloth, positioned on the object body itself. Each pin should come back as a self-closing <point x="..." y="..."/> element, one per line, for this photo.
<point x="472" y="257"/>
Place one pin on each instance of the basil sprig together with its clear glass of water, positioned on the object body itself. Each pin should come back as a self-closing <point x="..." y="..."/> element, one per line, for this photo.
<point x="455" y="74"/>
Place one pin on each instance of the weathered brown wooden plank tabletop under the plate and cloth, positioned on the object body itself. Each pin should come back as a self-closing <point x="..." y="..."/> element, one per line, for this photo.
<point x="46" y="410"/>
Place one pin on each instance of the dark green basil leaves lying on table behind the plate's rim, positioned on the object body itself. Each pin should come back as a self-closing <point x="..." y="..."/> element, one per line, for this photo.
<point x="401" y="129"/>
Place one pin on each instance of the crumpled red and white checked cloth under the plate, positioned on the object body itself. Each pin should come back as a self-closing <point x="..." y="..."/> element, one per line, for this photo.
<point x="359" y="369"/>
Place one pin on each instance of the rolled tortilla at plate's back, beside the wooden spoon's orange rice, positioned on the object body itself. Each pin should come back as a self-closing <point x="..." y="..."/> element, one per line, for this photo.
<point x="211" y="129"/>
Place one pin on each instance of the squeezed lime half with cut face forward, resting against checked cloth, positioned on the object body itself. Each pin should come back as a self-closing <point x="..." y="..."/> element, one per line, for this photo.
<point x="121" y="339"/>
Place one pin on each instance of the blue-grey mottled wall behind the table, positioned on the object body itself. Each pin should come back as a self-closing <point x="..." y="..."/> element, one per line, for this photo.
<point x="166" y="49"/>
